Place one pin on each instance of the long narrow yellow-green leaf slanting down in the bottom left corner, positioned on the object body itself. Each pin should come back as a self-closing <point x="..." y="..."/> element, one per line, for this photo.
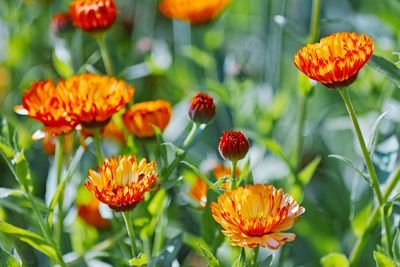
<point x="30" y="238"/>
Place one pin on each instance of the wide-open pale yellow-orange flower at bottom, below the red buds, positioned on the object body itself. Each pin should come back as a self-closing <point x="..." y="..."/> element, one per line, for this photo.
<point x="256" y="215"/>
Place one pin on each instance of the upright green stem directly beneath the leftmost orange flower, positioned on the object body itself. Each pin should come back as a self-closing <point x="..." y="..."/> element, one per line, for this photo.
<point x="59" y="166"/>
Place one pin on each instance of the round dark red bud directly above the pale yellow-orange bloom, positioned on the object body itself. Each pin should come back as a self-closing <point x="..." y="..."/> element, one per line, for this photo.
<point x="233" y="145"/>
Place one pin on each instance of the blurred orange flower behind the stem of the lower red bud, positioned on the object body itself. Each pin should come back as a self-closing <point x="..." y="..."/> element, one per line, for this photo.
<point x="199" y="189"/>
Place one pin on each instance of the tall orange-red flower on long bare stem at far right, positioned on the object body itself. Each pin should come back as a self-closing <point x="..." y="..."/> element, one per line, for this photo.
<point x="336" y="60"/>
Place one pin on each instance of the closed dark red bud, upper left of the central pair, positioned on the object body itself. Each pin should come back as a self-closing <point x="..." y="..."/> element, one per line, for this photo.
<point x="201" y="108"/>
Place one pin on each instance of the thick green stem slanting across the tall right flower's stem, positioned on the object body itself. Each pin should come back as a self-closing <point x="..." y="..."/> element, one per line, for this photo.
<point x="372" y="220"/>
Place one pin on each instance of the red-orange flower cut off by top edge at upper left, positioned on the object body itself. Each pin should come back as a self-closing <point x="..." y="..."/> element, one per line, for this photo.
<point x="93" y="15"/>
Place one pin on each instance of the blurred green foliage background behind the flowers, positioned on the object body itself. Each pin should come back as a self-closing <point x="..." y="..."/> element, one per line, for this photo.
<point x="245" y="60"/>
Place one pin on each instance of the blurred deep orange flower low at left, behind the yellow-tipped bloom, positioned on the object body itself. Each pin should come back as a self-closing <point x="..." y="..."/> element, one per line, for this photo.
<point x="90" y="213"/>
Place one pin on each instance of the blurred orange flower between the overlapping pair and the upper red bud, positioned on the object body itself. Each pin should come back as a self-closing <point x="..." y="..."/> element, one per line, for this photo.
<point x="141" y="116"/>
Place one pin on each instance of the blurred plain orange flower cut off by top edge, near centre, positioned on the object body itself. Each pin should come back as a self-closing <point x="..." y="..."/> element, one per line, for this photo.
<point x="193" y="11"/>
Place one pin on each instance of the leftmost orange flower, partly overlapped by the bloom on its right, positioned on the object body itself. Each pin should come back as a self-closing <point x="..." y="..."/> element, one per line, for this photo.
<point x="51" y="106"/>
